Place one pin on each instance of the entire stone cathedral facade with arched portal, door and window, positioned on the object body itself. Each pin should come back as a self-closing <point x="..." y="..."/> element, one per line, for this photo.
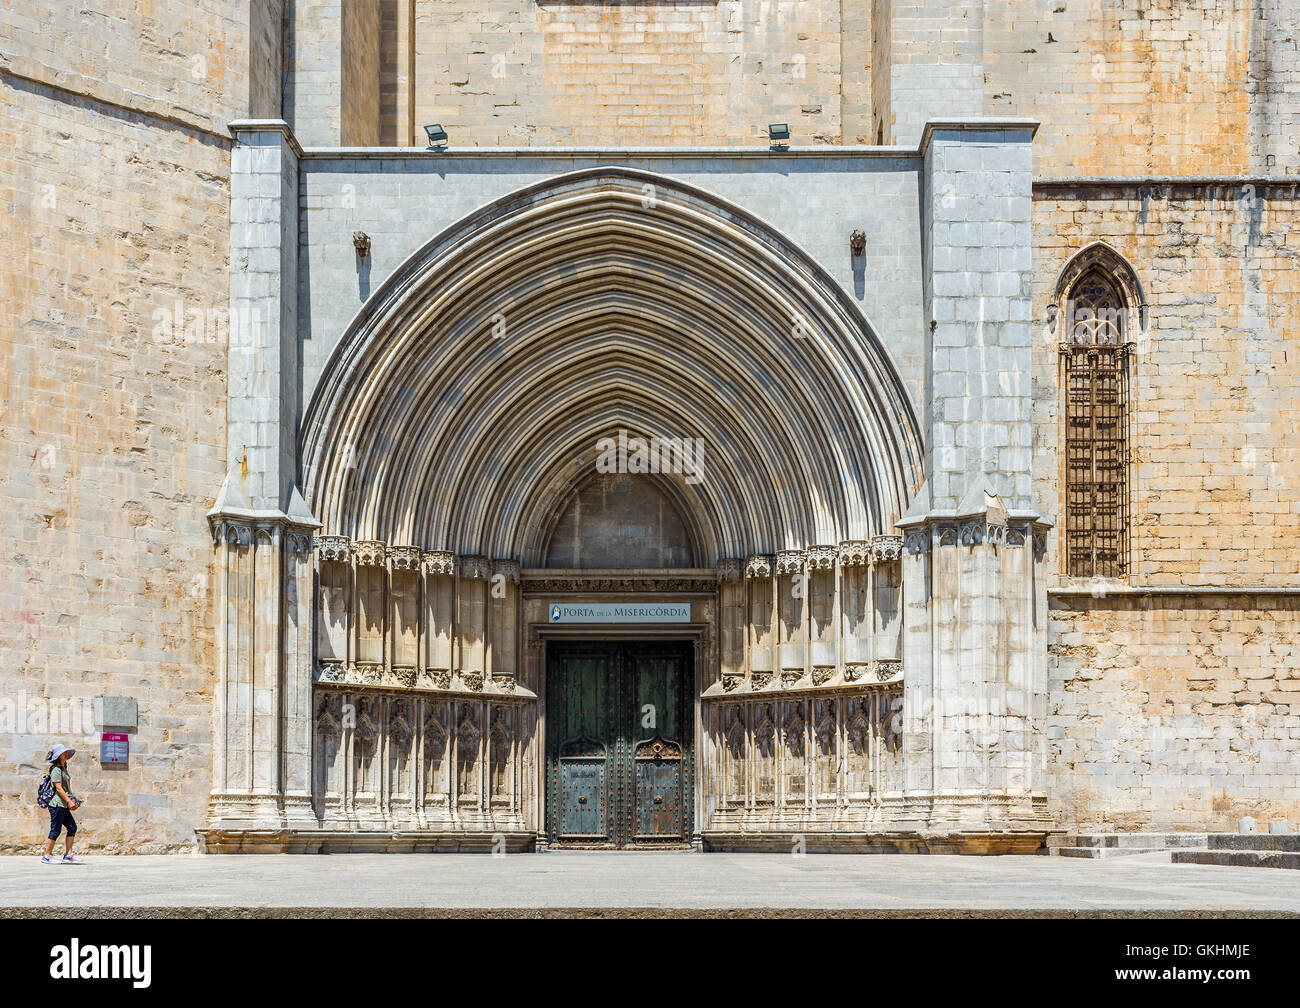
<point x="622" y="475"/>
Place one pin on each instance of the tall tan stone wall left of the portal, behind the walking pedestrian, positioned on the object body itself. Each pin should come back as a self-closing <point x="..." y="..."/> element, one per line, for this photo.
<point x="114" y="410"/>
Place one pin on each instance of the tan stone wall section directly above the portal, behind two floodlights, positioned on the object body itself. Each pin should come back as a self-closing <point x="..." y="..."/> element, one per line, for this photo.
<point x="504" y="72"/>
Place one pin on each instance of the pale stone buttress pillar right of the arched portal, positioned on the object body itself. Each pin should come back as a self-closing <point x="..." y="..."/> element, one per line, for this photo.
<point x="974" y="673"/>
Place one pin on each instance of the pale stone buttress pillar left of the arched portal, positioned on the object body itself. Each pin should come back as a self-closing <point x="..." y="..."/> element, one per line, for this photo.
<point x="262" y="529"/>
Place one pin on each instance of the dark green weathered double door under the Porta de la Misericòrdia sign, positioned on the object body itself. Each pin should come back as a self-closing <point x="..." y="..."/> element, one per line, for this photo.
<point x="619" y="759"/>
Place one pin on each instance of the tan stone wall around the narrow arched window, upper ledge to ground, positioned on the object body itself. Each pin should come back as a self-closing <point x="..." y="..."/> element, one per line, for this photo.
<point x="1184" y="711"/>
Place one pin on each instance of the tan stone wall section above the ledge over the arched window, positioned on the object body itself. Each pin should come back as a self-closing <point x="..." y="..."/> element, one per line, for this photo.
<point x="1134" y="88"/>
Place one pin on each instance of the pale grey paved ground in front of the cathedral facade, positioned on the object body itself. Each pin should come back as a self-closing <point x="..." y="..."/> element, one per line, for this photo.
<point x="609" y="884"/>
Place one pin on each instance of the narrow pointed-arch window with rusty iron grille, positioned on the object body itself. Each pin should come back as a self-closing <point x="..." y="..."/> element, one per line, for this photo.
<point x="1100" y="308"/>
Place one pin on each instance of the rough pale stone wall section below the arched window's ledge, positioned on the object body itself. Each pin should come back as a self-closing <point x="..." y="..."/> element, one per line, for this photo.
<point x="1175" y="713"/>
